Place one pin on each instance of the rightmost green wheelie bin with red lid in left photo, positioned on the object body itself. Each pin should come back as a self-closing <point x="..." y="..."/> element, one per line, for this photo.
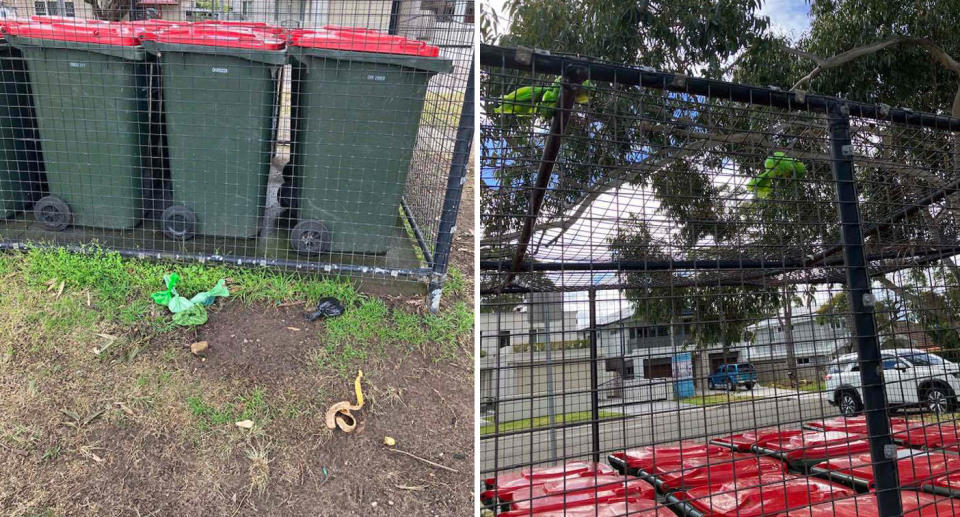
<point x="356" y="104"/>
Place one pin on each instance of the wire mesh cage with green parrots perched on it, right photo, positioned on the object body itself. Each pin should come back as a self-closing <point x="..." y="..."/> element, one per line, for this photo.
<point x="707" y="298"/>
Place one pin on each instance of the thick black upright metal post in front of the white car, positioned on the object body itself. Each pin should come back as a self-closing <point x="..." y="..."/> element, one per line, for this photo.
<point x="882" y="449"/>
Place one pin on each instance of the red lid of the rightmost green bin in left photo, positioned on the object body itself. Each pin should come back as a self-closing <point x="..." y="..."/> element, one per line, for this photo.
<point x="360" y="40"/>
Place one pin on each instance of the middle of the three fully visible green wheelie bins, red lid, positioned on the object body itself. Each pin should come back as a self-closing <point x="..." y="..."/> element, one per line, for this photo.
<point x="219" y="98"/>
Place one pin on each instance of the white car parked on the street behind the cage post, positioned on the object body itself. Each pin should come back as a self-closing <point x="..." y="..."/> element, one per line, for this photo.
<point x="911" y="378"/>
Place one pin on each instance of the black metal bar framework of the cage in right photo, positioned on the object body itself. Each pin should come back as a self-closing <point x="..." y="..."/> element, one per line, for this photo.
<point x="854" y="260"/>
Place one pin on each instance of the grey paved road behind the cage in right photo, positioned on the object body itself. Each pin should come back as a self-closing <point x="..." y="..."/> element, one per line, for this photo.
<point x="663" y="422"/>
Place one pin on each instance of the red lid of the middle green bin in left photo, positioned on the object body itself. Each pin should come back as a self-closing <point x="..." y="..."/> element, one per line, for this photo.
<point x="215" y="36"/>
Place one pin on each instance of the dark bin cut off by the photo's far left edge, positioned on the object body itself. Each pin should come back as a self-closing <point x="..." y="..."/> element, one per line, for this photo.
<point x="19" y="161"/>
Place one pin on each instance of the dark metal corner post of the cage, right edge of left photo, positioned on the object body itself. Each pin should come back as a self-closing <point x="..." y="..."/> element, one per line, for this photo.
<point x="451" y="201"/>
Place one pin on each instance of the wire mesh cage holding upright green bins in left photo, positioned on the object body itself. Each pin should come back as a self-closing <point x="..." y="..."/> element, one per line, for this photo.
<point x="334" y="140"/>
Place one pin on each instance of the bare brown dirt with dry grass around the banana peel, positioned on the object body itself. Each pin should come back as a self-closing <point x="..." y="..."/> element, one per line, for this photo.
<point x="153" y="451"/>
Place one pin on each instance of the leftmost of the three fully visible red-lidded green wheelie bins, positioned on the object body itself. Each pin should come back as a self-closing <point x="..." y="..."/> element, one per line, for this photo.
<point x="87" y="82"/>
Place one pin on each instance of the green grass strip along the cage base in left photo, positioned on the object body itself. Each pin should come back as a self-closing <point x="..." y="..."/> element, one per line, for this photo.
<point x="103" y="287"/>
